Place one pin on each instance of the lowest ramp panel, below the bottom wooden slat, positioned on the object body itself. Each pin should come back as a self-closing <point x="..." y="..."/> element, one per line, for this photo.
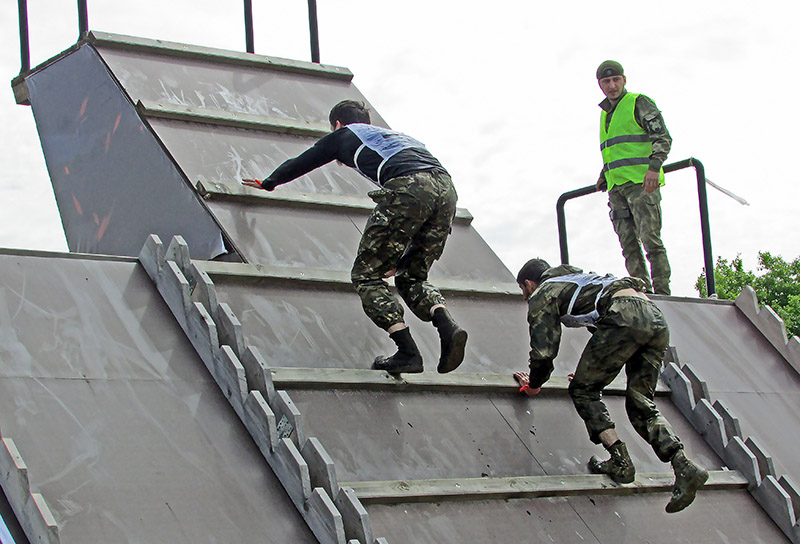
<point x="601" y="520"/>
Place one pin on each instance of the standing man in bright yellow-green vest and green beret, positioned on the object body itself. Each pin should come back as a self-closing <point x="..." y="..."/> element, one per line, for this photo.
<point x="634" y="142"/>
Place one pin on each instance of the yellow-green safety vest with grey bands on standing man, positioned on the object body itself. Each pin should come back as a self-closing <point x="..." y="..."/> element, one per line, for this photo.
<point x="625" y="146"/>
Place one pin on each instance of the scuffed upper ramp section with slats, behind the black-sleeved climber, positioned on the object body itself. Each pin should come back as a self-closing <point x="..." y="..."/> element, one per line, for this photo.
<point x="222" y="119"/>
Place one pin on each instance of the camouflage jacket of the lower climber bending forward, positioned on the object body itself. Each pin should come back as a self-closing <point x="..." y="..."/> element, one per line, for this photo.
<point x="550" y="302"/>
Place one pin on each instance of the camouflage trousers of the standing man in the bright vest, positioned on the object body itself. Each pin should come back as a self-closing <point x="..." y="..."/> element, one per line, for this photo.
<point x="636" y="216"/>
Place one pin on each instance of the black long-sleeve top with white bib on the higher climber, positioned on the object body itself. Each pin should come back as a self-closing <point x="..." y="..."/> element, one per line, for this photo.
<point x="342" y="145"/>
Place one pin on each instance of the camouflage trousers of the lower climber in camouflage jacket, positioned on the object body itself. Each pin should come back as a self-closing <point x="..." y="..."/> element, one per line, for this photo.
<point x="633" y="333"/>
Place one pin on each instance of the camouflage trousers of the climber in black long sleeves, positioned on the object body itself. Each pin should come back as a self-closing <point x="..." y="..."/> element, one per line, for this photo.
<point x="406" y="232"/>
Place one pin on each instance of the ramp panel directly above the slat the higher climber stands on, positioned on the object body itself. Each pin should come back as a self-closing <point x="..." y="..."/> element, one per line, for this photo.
<point x="298" y="325"/>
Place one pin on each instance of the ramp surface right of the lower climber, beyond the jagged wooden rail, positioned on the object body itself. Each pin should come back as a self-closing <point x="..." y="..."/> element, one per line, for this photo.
<point x="744" y="371"/>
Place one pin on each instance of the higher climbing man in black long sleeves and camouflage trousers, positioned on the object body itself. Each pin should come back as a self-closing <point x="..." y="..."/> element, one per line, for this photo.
<point x="404" y="235"/>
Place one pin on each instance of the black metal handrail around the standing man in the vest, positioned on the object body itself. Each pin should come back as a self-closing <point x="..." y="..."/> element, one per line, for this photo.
<point x="702" y="197"/>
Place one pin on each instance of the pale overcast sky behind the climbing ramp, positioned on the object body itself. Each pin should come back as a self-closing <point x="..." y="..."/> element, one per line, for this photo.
<point x="504" y="93"/>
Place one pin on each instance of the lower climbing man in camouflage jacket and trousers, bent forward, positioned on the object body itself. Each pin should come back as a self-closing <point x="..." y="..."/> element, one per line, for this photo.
<point x="628" y="330"/>
